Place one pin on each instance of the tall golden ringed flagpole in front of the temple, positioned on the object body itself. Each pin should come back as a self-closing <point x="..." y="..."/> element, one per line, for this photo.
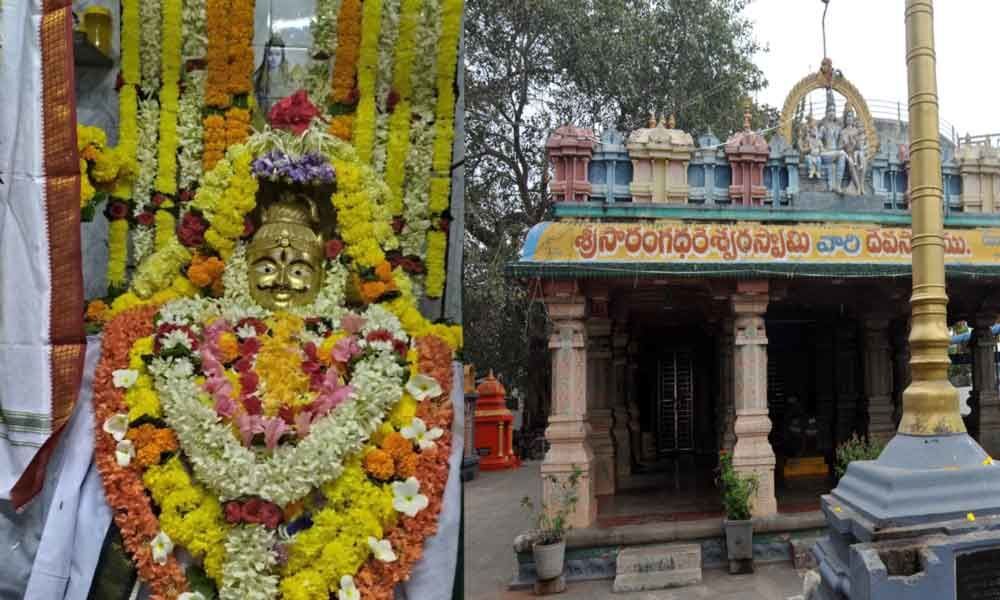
<point x="930" y="403"/>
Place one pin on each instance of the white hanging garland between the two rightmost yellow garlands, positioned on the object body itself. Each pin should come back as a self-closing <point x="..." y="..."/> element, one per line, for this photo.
<point x="413" y="239"/>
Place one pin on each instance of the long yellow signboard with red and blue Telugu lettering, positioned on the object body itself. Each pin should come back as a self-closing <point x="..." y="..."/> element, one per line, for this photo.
<point x="665" y="242"/>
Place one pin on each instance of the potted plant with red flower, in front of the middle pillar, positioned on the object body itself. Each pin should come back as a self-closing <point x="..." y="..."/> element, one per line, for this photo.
<point x="737" y="497"/>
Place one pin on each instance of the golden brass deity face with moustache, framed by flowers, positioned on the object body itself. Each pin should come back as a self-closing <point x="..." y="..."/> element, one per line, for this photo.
<point x="286" y="255"/>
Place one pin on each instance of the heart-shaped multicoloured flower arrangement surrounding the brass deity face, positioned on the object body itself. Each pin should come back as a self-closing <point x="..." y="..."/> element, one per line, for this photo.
<point x="257" y="454"/>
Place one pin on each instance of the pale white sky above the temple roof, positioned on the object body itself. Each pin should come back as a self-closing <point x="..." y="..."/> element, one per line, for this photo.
<point x="866" y="39"/>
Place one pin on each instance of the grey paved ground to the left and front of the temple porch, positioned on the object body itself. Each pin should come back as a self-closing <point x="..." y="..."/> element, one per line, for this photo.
<point x="493" y="516"/>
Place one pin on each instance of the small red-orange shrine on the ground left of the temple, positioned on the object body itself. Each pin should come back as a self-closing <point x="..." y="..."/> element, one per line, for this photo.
<point x="494" y="435"/>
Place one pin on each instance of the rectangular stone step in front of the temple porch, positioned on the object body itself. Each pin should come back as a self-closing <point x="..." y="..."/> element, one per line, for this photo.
<point x="656" y="567"/>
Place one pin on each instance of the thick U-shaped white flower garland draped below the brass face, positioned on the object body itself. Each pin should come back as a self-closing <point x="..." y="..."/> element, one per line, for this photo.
<point x="290" y="472"/>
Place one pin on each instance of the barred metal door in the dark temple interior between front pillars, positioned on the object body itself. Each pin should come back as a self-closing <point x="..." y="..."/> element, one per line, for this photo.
<point x="675" y="402"/>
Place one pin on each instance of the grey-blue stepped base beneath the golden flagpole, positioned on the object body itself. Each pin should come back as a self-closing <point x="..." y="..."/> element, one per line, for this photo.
<point x="897" y="524"/>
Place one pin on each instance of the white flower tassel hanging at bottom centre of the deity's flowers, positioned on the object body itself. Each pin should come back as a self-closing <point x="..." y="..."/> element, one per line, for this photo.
<point x="248" y="571"/>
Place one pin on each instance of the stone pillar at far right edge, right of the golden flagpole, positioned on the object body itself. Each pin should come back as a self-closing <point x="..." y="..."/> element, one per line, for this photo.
<point x="984" y="382"/>
